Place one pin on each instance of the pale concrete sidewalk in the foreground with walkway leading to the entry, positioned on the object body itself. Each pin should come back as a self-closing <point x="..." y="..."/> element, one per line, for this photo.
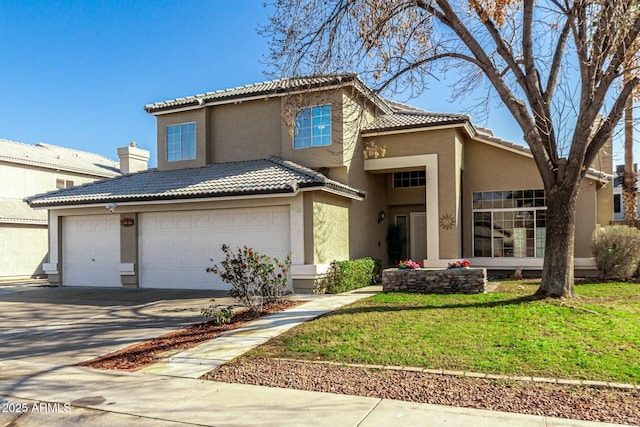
<point x="33" y="392"/>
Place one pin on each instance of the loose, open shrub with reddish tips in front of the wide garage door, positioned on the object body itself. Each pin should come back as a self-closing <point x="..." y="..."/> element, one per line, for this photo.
<point x="254" y="278"/>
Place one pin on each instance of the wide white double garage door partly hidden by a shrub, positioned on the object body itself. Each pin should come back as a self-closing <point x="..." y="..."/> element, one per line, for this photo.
<point x="177" y="247"/>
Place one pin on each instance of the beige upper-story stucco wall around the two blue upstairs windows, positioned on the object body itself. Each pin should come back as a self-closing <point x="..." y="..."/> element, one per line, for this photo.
<point x="258" y="128"/>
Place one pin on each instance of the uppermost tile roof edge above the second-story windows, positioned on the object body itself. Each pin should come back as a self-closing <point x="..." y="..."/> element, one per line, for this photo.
<point x="268" y="88"/>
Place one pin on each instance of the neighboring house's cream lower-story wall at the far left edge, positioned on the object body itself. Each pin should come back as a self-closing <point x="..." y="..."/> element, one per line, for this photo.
<point x="23" y="248"/>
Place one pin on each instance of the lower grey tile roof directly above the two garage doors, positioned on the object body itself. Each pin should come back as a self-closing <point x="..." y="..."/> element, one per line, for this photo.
<point x="269" y="176"/>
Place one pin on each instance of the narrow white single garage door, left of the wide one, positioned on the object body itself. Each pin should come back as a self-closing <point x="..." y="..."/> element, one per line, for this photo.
<point x="91" y="250"/>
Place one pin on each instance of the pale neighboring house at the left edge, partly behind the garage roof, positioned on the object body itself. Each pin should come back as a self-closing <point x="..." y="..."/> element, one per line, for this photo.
<point x="33" y="169"/>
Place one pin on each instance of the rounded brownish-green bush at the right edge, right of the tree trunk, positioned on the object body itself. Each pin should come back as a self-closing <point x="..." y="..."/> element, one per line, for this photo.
<point x="617" y="251"/>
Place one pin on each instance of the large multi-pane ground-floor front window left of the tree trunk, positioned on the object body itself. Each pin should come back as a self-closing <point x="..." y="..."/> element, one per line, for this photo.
<point x="509" y="223"/>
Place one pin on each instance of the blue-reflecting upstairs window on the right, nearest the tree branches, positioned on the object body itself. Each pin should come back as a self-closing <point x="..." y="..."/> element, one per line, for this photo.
<point x="313" y="127"/>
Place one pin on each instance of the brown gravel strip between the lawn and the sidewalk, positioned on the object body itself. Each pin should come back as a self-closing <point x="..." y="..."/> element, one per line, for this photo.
<point x="553" y="400"/>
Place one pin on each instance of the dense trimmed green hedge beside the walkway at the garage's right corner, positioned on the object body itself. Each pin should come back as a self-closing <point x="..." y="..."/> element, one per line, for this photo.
<point x="345" y="276"/>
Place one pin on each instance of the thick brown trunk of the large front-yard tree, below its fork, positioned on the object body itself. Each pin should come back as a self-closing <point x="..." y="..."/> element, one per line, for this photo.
<point x="557" y="273"/>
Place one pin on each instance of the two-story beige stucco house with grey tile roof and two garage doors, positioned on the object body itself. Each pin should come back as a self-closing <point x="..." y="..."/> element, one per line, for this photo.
<point x="318" y="167"/>
